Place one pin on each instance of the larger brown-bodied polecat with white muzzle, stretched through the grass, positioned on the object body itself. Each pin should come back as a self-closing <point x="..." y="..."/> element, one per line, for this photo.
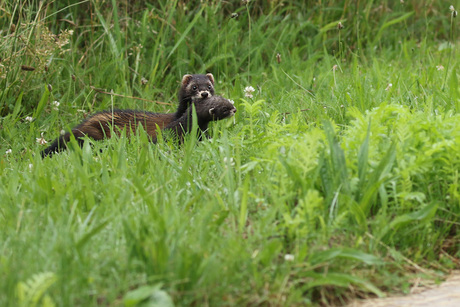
<point x="98" y="126"/>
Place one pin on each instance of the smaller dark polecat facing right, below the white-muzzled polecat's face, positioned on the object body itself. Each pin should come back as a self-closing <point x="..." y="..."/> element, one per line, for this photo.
<point x="210" y="109"/>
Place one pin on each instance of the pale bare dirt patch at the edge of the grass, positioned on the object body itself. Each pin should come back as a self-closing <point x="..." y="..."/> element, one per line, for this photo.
<point x="447" y="294"/>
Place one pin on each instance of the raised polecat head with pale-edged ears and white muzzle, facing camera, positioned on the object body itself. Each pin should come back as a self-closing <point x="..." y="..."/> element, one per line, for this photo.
<point x="197" y="86"/>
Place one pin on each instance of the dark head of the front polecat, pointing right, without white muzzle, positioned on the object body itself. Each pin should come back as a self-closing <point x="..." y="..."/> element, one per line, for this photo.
<point x="214" y="108"/>
